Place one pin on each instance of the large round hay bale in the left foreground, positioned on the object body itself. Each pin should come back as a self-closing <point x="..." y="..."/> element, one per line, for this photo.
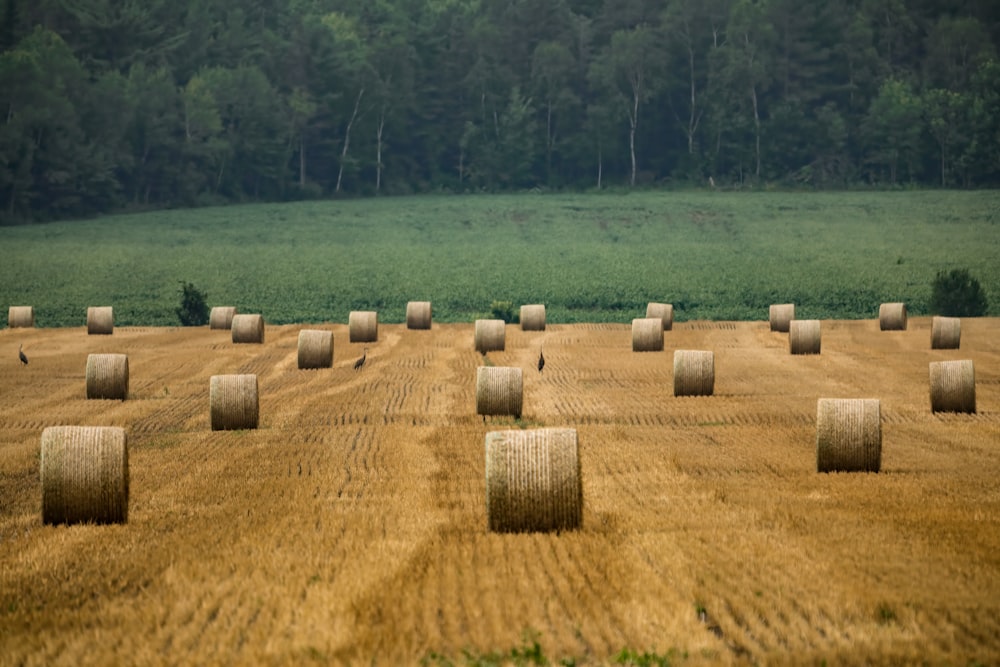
<point x="84" y="471"/>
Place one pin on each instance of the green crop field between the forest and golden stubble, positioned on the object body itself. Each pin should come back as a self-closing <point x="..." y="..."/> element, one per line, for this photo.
<point x="589" y="258"/>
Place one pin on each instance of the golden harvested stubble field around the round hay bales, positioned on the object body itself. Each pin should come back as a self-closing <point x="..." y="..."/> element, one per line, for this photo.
<point x="350" y="528"/>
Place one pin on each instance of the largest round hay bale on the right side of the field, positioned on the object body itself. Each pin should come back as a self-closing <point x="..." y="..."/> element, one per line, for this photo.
<point x="848" y="435"/>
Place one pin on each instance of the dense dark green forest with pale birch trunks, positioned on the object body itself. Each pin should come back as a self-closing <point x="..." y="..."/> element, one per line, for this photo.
<point x="129" y="104"/>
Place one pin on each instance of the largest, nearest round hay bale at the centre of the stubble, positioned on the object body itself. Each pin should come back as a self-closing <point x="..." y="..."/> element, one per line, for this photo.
<point x="533" y="480"/>
